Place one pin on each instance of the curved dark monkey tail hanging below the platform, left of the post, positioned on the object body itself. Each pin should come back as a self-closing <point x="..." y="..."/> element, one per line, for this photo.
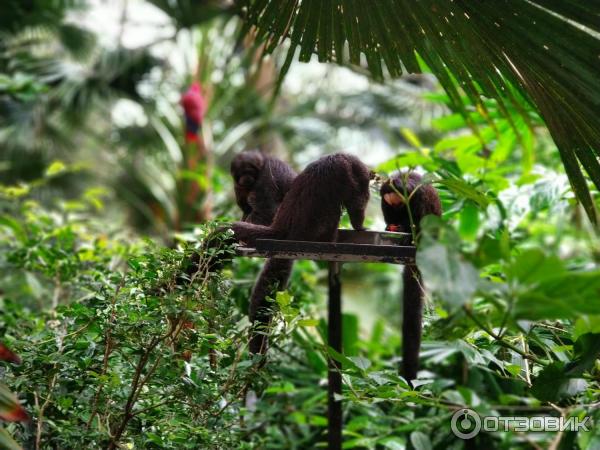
<point x="274" y="276"/>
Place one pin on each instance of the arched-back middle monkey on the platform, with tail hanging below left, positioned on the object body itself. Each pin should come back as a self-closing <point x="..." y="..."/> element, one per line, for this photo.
<point x="310" y="211"/>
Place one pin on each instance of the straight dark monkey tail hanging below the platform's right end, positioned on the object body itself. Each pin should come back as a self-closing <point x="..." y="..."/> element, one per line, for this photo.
<point x="412" y="321"/>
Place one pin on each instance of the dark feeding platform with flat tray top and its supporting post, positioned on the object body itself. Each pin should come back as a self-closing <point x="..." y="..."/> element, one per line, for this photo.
<point x="350" y="246"/>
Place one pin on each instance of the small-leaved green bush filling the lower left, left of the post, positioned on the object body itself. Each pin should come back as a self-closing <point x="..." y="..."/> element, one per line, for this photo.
<point x="121" y="348"/>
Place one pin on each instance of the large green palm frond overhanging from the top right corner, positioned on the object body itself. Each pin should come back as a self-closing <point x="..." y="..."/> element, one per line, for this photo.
<point x="545" y="50"/>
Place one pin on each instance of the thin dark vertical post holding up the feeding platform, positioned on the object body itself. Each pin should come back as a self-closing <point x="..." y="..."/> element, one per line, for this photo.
<point x="334" y="328"/>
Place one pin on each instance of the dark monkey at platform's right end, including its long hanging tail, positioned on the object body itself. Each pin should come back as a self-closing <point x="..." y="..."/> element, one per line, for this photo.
<point x="423" y="199"/>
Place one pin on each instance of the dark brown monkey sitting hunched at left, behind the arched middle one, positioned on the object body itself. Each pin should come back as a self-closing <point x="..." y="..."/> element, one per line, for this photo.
<point x="260" y="183"/>
